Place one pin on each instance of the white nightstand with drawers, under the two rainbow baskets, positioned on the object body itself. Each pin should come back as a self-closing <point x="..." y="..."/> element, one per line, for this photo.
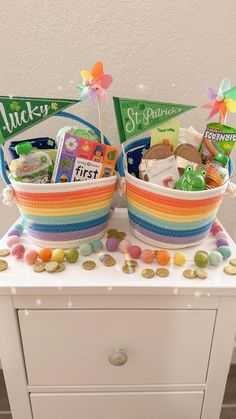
<point x="61" y="335"/>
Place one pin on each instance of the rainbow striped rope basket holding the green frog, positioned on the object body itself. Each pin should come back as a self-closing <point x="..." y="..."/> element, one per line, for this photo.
<point x="166" y="217"/>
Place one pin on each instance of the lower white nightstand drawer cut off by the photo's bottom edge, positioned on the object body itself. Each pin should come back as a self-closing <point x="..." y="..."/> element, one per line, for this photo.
<point x="117" y="405"/>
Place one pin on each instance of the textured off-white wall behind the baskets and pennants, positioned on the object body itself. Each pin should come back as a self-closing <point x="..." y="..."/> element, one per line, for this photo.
<point x="164" y="50"/>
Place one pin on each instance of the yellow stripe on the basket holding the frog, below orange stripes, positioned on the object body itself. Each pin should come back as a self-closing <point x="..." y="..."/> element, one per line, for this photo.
<point x="171" y="217"/>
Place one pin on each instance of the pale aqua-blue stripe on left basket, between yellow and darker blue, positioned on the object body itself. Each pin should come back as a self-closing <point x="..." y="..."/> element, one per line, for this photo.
<point x="67" y="219"/>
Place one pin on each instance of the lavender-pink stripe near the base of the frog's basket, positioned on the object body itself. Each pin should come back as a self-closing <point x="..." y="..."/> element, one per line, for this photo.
<point x="168" y="239"/>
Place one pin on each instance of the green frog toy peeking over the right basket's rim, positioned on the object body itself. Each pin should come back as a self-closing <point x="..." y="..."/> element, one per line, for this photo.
<point x="192" y="180"/>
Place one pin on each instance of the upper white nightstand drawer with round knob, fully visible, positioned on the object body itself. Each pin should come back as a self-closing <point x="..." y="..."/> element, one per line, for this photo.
<point x="83" y="347"/>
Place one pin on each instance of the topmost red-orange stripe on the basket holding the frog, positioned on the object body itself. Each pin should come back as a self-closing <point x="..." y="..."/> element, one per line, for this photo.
<point x="174" y="202"/>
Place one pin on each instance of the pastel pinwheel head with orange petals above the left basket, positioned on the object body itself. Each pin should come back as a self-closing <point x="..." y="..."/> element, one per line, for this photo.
<point x="95" y="83"/>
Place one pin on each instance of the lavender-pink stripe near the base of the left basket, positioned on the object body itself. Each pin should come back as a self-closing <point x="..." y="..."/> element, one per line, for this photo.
<point x="75" y="235"/>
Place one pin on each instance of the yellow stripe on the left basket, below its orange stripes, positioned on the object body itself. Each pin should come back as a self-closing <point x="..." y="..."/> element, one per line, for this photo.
<point x="66" y="211"/>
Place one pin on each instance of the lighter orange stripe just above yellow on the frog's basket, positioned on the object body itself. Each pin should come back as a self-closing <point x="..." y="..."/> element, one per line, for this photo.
<point x="170" y="209"/>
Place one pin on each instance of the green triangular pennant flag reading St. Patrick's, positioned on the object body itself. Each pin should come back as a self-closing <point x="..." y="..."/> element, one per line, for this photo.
<point x="135" y="116"/>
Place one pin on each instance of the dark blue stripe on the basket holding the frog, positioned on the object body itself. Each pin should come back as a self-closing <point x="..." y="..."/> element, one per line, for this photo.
<point x="166" y="232"/>
